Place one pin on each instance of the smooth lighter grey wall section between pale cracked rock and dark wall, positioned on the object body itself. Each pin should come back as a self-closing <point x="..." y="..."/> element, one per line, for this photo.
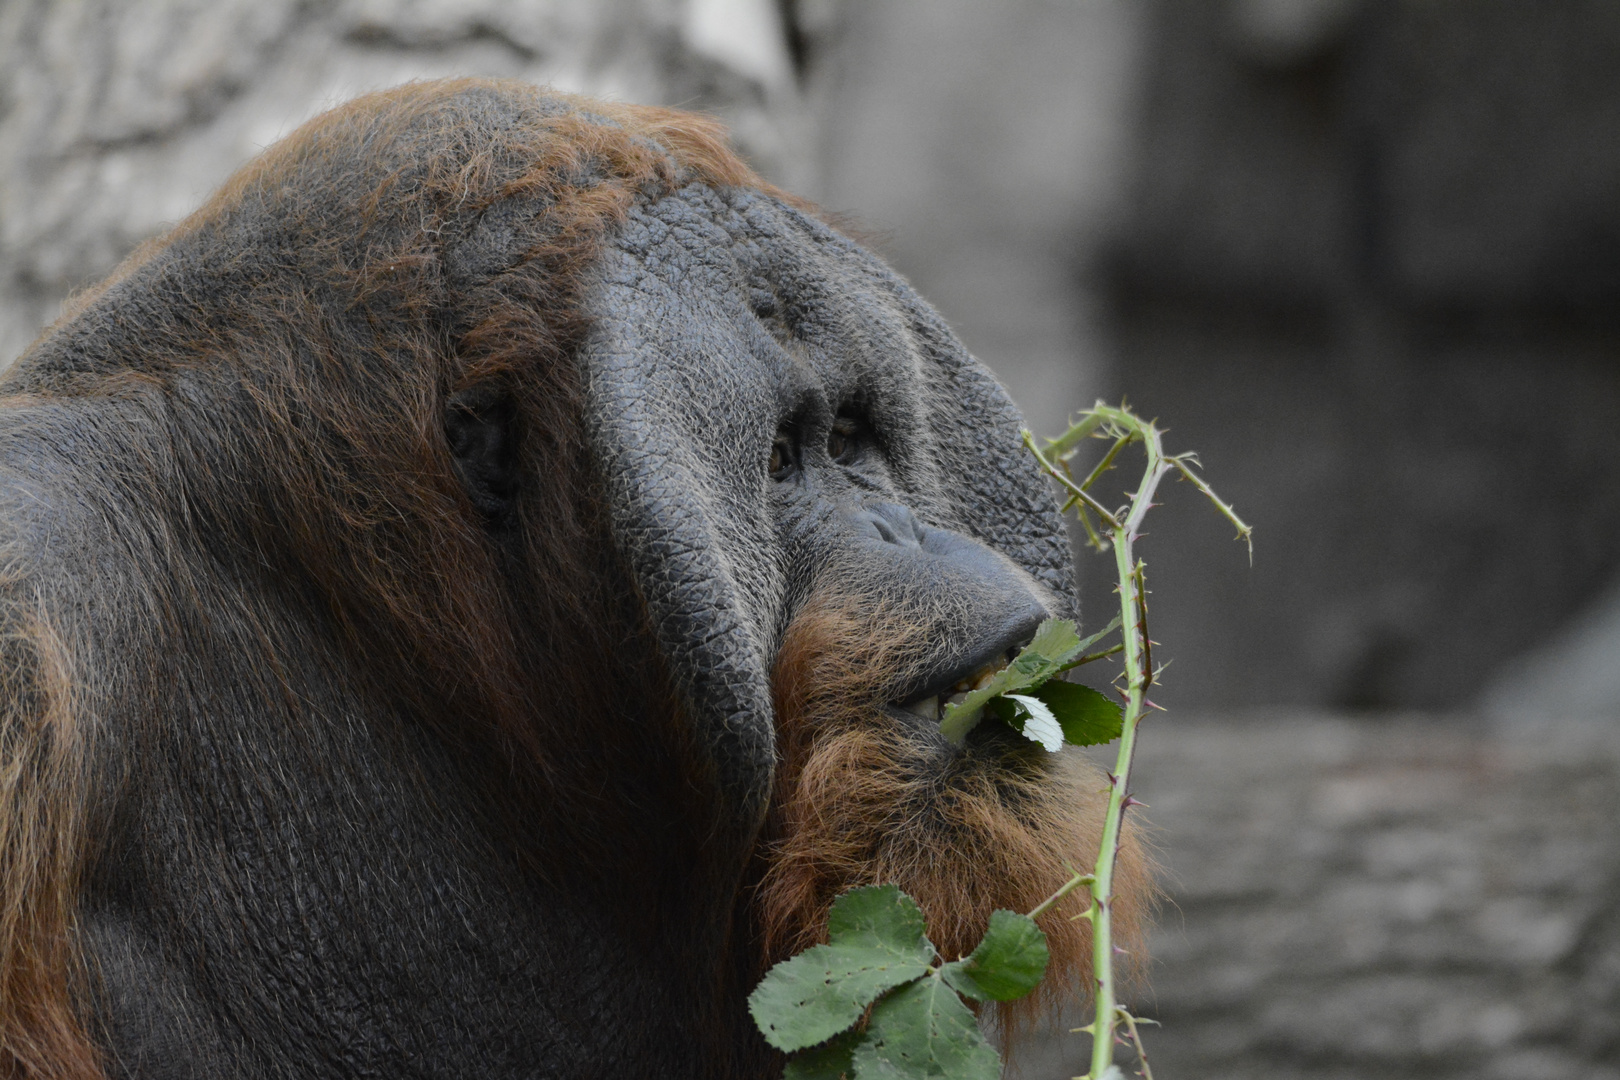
<point x="984" y="148"/>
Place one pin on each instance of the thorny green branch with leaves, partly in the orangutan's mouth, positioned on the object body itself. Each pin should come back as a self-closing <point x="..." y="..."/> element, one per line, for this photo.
<point x="877" y="1001"/>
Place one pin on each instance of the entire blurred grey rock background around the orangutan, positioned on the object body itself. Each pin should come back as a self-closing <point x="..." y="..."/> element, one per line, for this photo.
<point x="1363" y="255"/>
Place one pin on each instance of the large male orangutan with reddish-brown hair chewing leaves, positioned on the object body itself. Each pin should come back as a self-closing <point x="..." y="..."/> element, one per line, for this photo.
<point x="477" y="592"/>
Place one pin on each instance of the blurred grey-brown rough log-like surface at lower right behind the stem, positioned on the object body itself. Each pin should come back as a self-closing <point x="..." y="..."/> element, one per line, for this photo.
<point x="1405" y="898"/>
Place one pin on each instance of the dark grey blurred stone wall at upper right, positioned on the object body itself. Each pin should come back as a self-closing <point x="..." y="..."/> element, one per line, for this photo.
<point x="1371" y="273"/>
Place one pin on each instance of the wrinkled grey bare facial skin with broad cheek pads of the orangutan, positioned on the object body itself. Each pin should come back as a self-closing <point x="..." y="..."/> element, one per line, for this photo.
<point x="795" y="333"/>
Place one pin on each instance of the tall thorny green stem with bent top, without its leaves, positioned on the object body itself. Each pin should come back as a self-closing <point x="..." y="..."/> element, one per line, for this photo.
<point x="1125" y="529"/>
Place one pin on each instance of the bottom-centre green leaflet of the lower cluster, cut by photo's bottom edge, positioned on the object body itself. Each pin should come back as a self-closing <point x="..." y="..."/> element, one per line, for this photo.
<point x="926" y="1031"/>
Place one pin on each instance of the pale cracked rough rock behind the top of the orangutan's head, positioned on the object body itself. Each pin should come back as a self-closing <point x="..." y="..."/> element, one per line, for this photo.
<point x="119" y="117"/>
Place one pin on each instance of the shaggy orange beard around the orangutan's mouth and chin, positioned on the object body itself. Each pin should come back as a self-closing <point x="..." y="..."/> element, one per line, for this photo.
<point x="869" y="794"/>
